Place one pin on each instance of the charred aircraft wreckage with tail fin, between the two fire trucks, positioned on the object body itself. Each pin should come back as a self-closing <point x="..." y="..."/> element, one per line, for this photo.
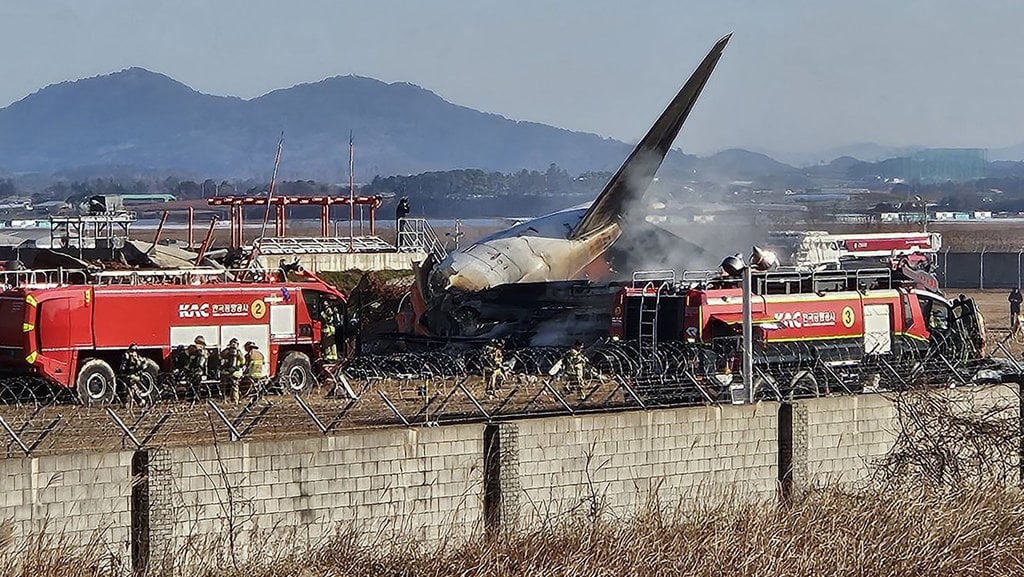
<point x="536" y="281"/>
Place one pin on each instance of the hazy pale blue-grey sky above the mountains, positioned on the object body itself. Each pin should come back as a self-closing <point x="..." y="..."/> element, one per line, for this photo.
<point x="798" y="75"/>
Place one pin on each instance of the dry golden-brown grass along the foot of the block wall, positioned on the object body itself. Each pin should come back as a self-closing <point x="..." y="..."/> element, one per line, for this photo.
<point x="915" y="531"/>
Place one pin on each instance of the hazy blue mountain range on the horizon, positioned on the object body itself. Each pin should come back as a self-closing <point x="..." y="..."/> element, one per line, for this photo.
<point x="145" y="122"/>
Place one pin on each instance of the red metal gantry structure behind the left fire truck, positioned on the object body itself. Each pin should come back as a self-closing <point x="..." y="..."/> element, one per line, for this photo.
<point x="238" y="204"/>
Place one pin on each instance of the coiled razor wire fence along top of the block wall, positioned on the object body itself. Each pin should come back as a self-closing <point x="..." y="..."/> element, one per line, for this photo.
<point x="449" y="387"/>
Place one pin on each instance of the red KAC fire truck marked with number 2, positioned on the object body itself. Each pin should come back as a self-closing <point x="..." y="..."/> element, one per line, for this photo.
<point x="75" y="336"/>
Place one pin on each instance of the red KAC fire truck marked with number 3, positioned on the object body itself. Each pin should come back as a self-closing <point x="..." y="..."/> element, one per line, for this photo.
<point x="806" y="324"/>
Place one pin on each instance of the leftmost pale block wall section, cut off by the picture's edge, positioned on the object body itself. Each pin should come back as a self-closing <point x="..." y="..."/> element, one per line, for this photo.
<point x="82" y="499"/>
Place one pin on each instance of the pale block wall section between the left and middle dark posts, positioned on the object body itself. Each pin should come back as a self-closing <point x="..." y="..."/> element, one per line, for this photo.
<point x="419" y="483"/>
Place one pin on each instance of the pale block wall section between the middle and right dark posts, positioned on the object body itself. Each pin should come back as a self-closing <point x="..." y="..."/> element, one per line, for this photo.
<point x="618" y="463"/>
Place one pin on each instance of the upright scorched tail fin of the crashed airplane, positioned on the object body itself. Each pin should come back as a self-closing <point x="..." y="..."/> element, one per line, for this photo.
<point x="636" y="175"/>
